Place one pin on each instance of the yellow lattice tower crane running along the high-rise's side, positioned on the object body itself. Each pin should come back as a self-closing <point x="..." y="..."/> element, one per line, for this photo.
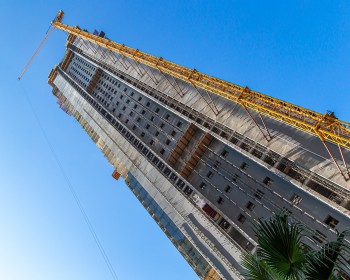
<point x="325" y="126"/>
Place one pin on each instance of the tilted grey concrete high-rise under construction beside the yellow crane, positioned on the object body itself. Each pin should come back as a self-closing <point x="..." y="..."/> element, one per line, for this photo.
<point x="205" y="165"/>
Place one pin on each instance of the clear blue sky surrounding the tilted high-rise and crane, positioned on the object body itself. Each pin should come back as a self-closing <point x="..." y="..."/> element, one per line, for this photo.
<point x="294" y="50"/>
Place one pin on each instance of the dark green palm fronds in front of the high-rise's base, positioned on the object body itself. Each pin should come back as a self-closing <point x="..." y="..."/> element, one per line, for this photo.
<point x="281" y="253"/>
